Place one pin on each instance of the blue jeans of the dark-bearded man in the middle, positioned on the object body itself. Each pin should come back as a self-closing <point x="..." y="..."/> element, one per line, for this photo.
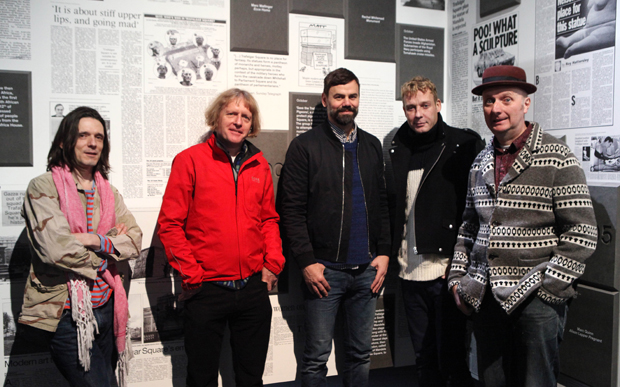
<point x="351" y="289"/>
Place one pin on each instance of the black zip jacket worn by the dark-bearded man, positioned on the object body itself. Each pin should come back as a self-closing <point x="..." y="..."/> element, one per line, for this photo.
<point x="314" y="196"/>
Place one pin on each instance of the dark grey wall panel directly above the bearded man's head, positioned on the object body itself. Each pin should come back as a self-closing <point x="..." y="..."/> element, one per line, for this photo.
<point x="369" y="30"/>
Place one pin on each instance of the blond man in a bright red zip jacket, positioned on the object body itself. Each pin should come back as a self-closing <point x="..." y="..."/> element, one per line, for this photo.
<point x="219" y="228"/>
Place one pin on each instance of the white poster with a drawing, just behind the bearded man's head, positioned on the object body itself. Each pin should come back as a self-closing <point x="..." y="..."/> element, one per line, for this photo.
<point x="317" y="52"/>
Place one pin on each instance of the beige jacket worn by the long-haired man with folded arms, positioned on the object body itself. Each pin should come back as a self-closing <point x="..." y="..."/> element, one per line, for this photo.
<point x="56" y="253"/>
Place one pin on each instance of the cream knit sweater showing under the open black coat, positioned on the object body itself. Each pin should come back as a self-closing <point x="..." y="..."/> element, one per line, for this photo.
<point x="414" y="266"/>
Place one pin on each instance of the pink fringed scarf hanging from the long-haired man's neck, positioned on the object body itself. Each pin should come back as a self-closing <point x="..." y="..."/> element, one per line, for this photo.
<point x="81" y="307"/>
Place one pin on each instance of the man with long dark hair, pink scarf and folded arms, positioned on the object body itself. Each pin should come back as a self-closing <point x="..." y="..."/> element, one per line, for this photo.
<point x="78" y="227"/>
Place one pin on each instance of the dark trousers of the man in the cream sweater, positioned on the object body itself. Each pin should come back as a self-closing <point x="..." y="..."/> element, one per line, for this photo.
<point x="438" y="333"/>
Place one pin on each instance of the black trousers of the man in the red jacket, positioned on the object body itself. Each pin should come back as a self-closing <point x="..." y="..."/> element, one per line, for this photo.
<point x="248" y="314"/>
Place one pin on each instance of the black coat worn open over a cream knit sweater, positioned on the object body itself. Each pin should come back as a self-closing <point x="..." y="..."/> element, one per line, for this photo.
<point x="441" y="195"/>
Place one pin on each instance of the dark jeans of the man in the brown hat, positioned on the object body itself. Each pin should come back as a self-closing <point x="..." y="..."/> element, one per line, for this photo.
<point x="520" y="349"/>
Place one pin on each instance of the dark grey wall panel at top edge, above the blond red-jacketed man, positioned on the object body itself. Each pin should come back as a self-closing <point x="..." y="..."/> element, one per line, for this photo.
<point x="259" y="26"/>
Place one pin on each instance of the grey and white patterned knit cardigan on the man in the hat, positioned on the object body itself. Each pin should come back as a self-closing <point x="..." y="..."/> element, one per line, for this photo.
<point x="532" y="234"/>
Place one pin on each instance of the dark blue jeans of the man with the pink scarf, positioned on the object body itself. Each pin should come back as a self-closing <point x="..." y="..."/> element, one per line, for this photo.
<point x="103" y="355"/>
